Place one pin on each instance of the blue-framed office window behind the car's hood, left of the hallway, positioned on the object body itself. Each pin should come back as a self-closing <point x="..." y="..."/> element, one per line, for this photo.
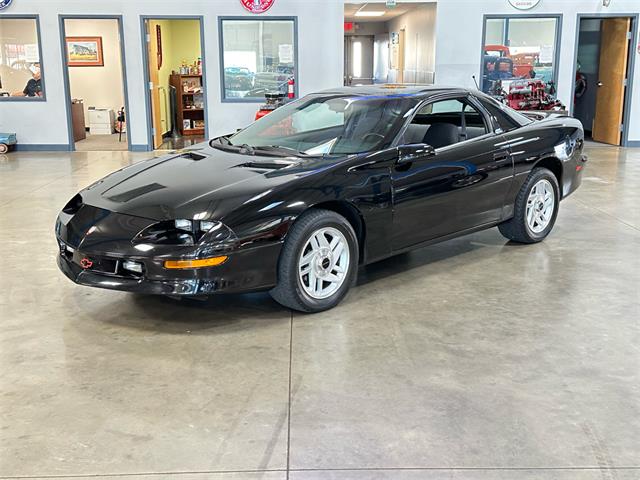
<point x="258" y="57"/>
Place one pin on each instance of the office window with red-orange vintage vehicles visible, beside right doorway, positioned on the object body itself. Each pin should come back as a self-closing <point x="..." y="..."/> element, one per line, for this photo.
<point x="519" y="48"/>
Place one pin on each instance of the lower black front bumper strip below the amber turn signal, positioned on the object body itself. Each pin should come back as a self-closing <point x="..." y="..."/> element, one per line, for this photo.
<point x="248" y="270"/>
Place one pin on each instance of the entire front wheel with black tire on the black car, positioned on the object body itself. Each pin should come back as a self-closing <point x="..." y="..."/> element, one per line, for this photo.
<point x="318" y="263"/>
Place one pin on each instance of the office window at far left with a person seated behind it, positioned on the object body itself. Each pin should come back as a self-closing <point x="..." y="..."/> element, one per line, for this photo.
<point x="20" y="68"/>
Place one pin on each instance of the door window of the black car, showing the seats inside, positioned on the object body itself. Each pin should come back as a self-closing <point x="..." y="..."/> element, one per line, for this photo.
<point x="444" y="123"/>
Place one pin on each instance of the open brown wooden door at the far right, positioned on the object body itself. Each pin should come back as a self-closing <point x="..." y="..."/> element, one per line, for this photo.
<point x="614" y="53"/>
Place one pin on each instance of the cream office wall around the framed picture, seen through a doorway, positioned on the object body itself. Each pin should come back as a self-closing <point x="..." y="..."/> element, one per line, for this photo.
<point x="100" y="87"/>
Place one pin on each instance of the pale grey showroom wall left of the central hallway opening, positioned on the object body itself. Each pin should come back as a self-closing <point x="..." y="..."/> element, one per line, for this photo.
<point x="320" y="47"/>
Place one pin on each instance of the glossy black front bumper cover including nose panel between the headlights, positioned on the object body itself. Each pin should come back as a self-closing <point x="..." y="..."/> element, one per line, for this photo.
<point x="94" y="245"/>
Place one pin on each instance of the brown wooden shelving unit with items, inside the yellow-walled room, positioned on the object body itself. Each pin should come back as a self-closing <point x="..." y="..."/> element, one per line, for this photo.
<point x="190" y="103"/>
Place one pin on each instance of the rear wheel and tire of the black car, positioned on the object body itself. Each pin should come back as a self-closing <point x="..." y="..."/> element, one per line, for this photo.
<point x="536" y="208"/>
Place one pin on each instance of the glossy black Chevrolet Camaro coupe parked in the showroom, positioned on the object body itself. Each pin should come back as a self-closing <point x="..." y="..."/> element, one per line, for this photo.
<point x="295" y="202"/>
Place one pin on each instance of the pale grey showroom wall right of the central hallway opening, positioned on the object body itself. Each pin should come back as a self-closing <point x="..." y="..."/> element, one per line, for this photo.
<point x="459" y="39"/>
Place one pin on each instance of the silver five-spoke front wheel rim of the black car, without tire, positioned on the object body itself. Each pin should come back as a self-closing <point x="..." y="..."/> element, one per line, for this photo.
<point x="324" y="263"/>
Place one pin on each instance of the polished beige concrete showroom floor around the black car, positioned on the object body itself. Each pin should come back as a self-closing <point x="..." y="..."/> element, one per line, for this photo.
<point x="473" y="359"/>
